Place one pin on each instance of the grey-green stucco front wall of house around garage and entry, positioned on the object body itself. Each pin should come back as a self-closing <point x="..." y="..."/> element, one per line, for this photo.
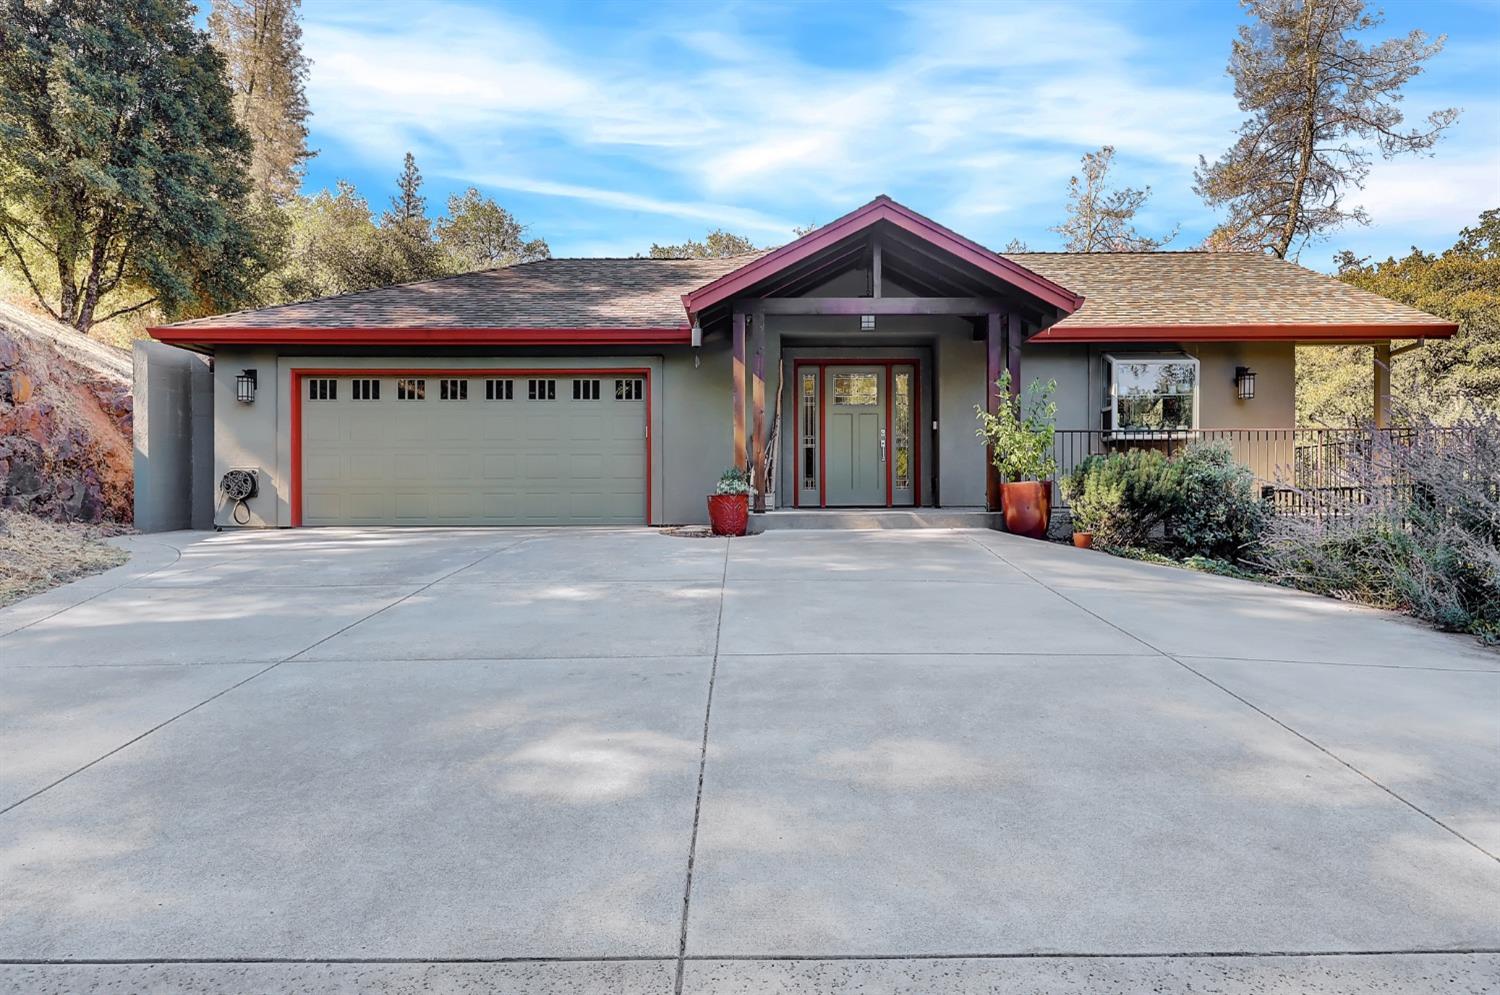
<point x="694" y="413"/>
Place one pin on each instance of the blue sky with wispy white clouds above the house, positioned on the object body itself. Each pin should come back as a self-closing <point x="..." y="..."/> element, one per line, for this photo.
<point x="608" y="127"/>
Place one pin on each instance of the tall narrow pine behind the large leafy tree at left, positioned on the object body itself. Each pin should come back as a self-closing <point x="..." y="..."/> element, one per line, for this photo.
<point x="262" y="46"/>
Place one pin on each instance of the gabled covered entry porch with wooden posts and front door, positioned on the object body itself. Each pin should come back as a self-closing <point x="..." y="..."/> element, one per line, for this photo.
<point x="859" y="356"/>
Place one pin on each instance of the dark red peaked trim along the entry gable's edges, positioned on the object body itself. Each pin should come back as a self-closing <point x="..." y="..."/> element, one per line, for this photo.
<point x="881" y="209"/>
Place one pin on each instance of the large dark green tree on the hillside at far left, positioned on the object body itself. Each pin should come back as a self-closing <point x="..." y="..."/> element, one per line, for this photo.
<point x="122" y="167"/>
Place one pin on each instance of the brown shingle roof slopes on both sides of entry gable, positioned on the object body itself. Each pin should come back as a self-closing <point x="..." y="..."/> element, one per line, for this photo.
<point x="1121" y="290"/>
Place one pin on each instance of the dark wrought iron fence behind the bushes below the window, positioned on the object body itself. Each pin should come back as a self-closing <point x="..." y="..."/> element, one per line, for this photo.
<point x="1300" y="470"/>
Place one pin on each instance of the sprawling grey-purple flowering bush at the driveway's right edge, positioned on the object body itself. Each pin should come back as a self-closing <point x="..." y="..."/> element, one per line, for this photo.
<point x="1414" y="526"/>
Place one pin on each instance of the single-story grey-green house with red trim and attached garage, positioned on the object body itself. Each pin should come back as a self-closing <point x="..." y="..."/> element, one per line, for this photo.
<point x="616" y="391"/>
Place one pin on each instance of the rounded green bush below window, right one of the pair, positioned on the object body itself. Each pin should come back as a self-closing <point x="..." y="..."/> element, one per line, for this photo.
<point x="1219" y="514"/>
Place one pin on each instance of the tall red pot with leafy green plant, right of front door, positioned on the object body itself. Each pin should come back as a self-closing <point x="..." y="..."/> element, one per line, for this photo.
<point x="1021" y="436"/>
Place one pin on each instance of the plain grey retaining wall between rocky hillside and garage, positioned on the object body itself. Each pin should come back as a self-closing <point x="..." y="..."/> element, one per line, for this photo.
<point x="173" y="439"/>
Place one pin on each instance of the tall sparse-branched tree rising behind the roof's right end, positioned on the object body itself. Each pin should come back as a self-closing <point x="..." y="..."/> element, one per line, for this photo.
<point x="1318" y="100"/>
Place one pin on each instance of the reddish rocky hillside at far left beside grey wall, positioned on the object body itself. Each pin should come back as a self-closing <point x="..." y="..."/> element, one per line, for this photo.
<point x="65" y="422"/>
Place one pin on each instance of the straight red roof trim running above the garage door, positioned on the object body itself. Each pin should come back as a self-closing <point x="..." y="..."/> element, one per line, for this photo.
<point x="241" y="335"/>
